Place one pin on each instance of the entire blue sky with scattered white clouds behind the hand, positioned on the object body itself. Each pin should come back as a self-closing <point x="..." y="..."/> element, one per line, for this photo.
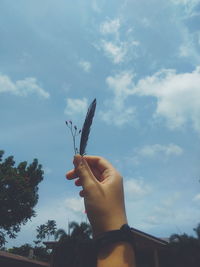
<point x="141" y="61"/>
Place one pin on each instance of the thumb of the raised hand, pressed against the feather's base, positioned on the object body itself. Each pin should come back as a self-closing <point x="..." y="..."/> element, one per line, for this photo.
<point x="83" y="171"/>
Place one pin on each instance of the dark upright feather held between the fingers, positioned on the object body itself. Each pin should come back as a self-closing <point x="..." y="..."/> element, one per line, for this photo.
<point x="86" y="127"/>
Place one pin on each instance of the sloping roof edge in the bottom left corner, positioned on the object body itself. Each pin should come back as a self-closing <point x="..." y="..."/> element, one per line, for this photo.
<point x="13" y="257"/>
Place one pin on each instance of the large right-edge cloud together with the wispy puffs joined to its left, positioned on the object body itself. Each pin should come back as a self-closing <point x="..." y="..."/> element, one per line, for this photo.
<point x="177" y="97"/>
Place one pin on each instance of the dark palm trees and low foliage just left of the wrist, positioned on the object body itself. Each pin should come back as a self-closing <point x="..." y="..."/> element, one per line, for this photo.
<point x="77" y="234"/>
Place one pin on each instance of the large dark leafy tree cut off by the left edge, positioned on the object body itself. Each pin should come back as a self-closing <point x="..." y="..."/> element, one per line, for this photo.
<point x="18" y="194"/>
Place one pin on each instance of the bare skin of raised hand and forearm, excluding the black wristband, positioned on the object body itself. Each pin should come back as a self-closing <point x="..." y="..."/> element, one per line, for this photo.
<point x="104" y="202"/>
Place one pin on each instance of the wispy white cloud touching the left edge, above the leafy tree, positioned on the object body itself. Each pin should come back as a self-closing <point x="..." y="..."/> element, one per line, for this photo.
<point x="21" y="87"/>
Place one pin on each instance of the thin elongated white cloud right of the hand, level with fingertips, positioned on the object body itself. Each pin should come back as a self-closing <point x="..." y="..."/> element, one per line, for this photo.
<point x="156" y="149"/>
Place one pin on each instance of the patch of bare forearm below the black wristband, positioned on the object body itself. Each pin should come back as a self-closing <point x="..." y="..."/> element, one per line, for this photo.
<point x="119" y="254"/>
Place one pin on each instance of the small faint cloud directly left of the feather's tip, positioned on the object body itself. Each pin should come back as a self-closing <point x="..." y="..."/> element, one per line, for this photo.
<point x="76" y="106"/>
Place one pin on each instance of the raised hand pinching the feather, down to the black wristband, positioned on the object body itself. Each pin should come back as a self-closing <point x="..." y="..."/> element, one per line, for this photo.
<point x="102" y="191"/>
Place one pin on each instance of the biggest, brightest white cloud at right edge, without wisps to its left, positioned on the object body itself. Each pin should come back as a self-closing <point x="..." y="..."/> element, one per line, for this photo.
<point x="178" y="96"/>
